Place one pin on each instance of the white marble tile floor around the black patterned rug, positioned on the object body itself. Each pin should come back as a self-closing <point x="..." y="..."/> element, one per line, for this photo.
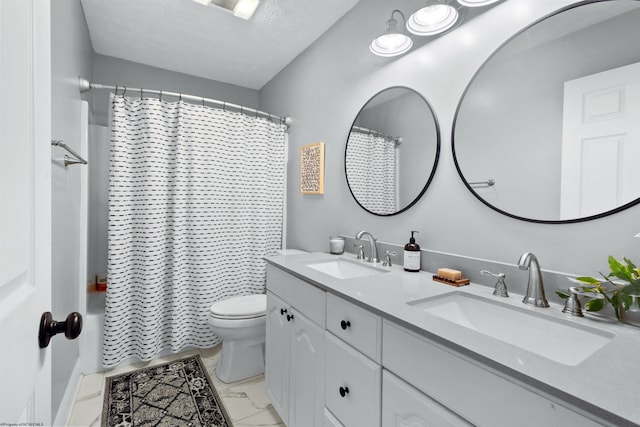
<point x="246" y="401"/>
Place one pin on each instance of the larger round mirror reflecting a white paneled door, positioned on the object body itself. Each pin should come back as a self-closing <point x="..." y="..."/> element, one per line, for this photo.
<point x="548" y="130"/>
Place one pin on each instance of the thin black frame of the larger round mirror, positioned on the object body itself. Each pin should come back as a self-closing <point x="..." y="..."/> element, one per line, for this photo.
<point x="455" y="120"/>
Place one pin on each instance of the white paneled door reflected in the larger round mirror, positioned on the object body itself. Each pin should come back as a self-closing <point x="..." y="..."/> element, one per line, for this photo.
<point x="600" y="142"/>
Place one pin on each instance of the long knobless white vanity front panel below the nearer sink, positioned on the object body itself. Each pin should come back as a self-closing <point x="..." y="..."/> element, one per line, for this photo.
<point x="466" y="388"/>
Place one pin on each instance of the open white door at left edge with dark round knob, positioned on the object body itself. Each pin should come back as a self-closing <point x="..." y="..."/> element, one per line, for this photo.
<point x="25" y="209"/>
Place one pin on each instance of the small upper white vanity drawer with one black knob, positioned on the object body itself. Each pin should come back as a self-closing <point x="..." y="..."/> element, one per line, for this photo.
<point x="356" y="326"/>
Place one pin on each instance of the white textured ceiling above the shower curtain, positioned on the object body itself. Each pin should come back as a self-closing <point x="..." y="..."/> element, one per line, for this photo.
<point x="206" y="41"/>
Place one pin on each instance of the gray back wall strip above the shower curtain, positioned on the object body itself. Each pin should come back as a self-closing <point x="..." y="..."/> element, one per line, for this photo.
<point x="113" y="71"/>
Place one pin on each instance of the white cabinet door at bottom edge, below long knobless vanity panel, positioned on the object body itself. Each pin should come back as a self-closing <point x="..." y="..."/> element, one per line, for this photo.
<point x="404" y="406"/>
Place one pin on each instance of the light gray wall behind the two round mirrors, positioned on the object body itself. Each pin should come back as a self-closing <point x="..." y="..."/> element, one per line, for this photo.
<point x="325" y="87"/>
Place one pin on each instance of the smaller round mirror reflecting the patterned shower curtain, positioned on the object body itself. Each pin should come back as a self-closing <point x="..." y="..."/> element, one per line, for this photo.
<point x="392" y="151"/>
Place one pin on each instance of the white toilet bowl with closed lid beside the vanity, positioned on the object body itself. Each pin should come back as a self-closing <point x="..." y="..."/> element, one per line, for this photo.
<point x="240" y="322"/>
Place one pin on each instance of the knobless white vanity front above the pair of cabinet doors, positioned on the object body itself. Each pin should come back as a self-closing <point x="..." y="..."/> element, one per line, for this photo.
<point x="305" y="297"/>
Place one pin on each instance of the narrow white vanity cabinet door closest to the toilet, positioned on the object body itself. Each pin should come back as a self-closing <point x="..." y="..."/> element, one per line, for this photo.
<point x="277" y="355"/>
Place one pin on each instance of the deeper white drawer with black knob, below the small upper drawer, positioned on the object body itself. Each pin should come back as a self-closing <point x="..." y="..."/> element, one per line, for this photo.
<point x="352" y="385"/>
